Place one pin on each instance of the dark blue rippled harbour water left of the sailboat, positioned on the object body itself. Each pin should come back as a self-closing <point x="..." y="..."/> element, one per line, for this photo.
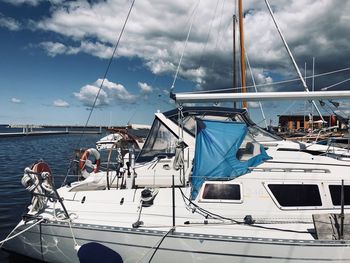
<point x="18" y="153"/>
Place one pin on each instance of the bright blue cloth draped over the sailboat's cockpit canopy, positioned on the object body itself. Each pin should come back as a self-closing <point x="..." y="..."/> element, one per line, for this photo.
<point x="217" y="144"/>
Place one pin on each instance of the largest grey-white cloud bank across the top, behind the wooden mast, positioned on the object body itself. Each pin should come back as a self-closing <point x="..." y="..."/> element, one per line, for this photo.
<point x="157" y="30"/>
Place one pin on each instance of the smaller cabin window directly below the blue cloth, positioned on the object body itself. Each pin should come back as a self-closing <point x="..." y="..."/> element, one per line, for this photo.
<point x="222" y="192"/>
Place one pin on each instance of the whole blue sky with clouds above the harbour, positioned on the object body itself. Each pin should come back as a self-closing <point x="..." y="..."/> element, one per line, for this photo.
<point x="54" y="56"/>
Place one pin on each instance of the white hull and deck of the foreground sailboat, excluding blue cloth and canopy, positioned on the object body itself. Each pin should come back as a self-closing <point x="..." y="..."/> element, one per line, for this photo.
<point x="254" y="224"/>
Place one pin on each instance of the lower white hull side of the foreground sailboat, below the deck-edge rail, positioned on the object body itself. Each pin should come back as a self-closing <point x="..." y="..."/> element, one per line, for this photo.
<point x="54" y="243"/>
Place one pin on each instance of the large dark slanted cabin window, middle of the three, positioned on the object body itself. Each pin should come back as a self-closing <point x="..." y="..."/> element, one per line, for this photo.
<point x="296" y="194"/>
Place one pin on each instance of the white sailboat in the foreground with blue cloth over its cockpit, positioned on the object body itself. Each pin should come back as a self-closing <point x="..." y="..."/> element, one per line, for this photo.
<point x="202" y="189"/>
